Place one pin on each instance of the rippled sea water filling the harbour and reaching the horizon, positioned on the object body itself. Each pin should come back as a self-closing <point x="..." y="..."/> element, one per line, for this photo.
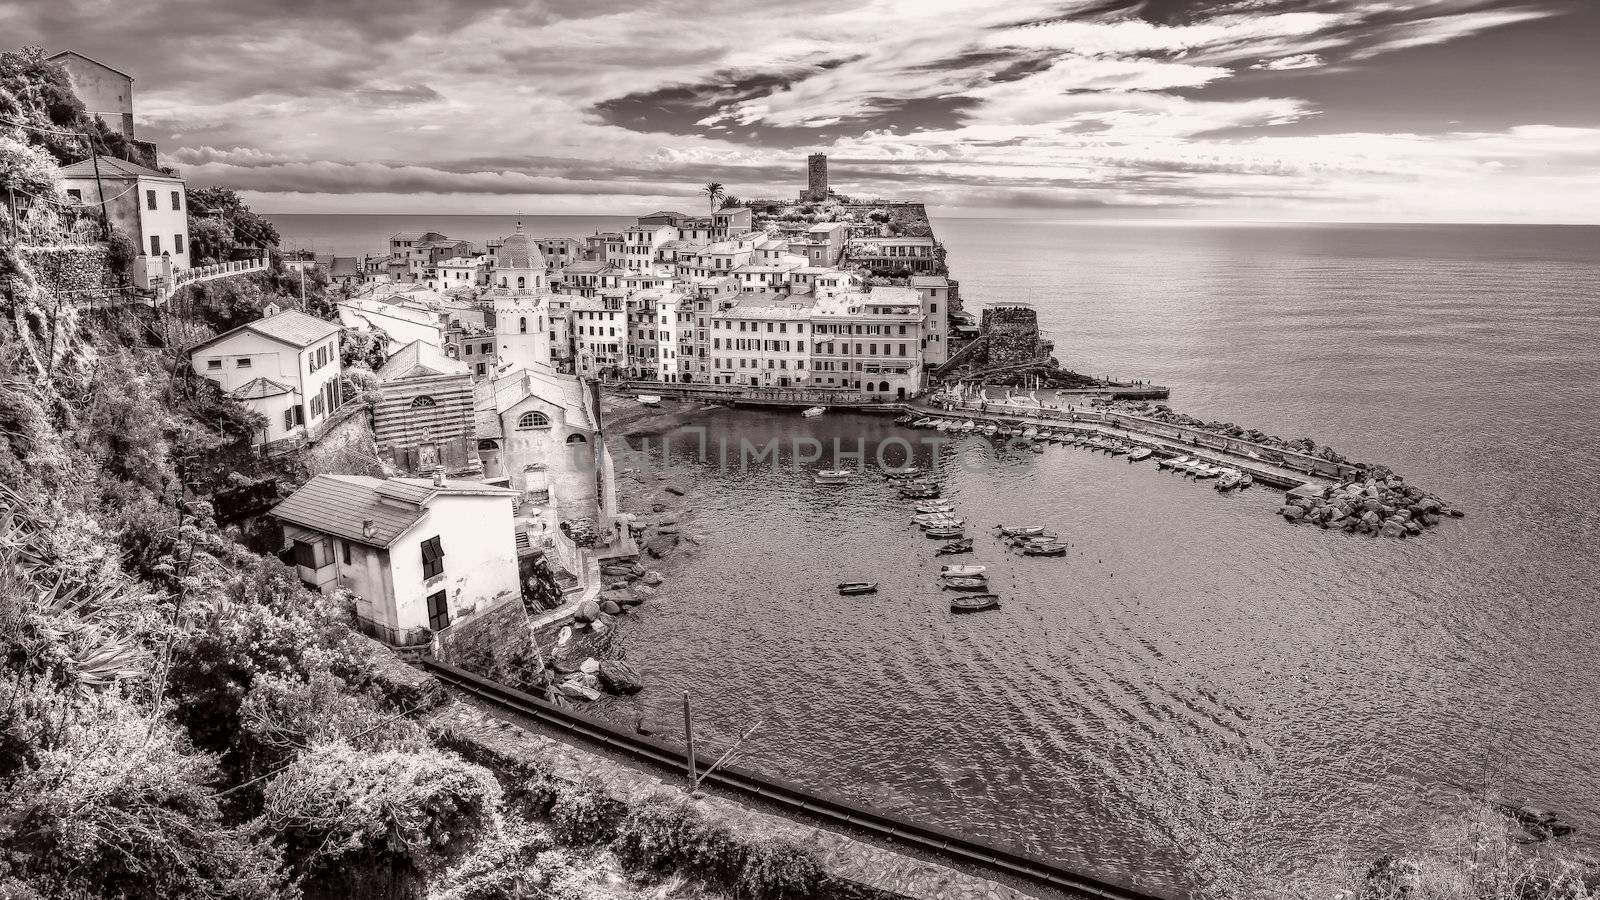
<point x="1199" y="697"/>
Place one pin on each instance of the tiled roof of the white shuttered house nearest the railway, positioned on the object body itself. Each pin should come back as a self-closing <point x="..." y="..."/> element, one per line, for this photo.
<point x="340" y="505"/>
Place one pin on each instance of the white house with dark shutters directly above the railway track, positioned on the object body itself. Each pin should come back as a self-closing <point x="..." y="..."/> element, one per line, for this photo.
<point x="417" y="553"/>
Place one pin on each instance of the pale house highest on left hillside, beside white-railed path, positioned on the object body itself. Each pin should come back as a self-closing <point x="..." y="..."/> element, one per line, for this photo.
<point x="148" y="206"/>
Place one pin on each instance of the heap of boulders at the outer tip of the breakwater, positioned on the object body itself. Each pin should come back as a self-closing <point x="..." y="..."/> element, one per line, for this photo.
<point x="1385" y="507"/>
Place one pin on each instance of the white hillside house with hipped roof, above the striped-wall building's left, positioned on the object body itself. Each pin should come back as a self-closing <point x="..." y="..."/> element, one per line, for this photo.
<point x="284" y="368"/>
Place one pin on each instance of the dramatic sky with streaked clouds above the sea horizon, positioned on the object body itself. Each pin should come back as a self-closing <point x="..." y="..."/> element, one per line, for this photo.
<point x="1262" y="110"/>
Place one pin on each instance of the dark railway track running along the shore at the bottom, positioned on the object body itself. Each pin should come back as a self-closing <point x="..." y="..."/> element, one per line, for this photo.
<point x="938" y="842"/>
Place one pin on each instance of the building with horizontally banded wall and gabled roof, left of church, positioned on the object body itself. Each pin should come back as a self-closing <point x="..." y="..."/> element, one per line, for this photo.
<point x="425" y="417"/>
